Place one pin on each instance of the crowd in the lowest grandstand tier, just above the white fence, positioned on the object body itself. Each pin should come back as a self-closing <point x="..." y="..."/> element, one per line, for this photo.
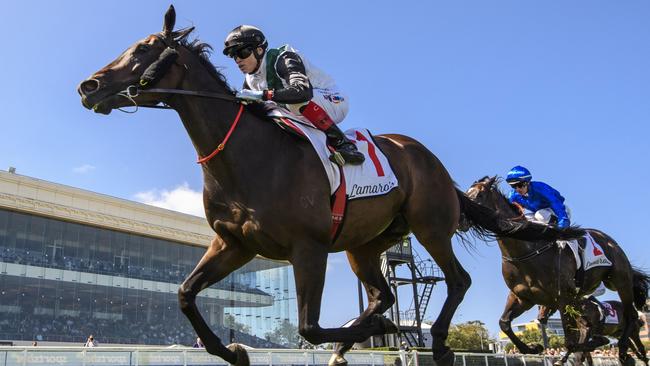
<point x="126" y="331"/>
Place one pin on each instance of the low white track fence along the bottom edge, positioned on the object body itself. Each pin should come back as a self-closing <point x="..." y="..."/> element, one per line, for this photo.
<point x="133" y="356"/>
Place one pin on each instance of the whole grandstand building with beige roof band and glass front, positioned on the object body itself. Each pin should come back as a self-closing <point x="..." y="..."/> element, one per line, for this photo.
<point x="75" y="263"/>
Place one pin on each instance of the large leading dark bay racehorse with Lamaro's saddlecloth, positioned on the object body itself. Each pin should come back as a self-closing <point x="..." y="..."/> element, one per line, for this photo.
<point x="265" y="193"/>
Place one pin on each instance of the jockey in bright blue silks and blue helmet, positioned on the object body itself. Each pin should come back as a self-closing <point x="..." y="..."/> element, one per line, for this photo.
<point x="538" y="197"/>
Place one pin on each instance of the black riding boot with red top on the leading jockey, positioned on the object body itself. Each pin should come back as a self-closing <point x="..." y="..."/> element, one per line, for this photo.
<point x="345" y="150"/>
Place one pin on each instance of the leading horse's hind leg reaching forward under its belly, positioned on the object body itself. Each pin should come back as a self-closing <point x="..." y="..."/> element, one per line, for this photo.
<point x="365" y="263"/>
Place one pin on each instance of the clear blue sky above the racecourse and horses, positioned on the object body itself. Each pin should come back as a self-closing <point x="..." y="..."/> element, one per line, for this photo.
<point x="560" y="87"/>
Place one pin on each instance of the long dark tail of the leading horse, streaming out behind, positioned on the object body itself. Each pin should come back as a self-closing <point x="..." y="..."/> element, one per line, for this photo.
<point x="486" y="223"/>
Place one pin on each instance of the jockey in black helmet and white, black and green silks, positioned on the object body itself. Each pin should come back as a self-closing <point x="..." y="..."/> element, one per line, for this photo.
<point x="283" y="76"/>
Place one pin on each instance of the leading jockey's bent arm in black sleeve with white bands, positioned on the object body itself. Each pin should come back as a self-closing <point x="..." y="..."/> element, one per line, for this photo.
<point x="291" y="69"/>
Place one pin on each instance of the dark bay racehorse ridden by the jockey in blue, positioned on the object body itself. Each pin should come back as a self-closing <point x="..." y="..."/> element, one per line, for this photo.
<point x="540" y="273"/>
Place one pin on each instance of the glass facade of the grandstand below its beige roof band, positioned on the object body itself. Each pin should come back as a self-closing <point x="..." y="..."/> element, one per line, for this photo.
<point x="62" y="281"/>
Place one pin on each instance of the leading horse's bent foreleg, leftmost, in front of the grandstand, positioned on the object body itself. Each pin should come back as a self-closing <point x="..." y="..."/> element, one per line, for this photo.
<point x="219" y="260"/>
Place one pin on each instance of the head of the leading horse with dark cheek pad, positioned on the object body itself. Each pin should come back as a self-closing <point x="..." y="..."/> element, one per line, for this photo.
<point x="154" y="60"/>
